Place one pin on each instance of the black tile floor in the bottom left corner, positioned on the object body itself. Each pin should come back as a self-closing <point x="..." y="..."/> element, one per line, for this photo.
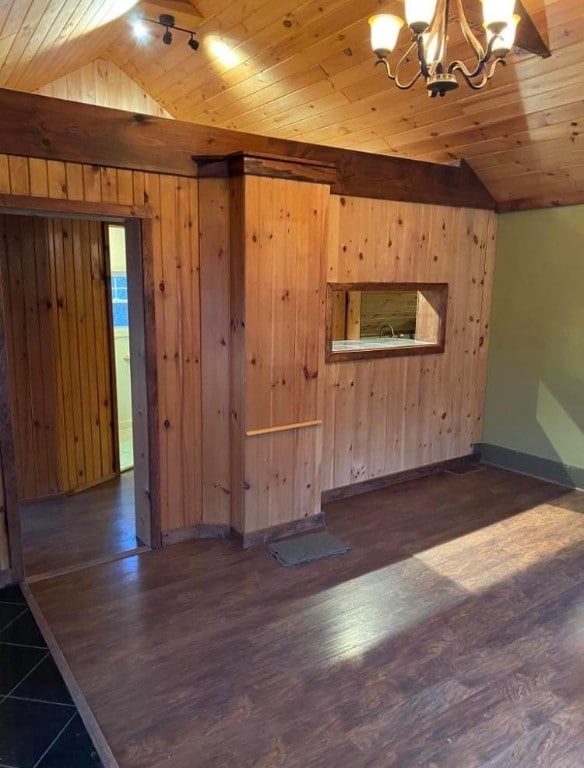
<point x="39" y="723"/>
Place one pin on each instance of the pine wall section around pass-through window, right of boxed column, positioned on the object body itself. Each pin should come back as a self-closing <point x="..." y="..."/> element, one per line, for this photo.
<point x="388" y="415"/>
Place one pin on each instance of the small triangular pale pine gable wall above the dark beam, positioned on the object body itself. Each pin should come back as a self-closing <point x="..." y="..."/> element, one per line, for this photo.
<point x="104" y="84"/>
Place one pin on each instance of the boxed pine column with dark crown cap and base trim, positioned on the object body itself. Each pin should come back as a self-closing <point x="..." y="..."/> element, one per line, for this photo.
<point x="278" y="211"/>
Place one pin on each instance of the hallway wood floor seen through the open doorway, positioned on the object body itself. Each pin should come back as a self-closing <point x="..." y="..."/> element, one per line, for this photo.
<point x="80" y="528"/>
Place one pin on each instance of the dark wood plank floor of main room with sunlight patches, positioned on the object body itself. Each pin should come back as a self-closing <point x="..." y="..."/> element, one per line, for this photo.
<point x="452" y="634"/>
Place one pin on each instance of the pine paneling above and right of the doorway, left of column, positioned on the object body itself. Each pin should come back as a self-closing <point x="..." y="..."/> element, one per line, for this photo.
<point x="173" y="201"/>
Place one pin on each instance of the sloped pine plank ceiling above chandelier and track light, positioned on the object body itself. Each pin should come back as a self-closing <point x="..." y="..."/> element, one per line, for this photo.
<point x="304" y="71"/>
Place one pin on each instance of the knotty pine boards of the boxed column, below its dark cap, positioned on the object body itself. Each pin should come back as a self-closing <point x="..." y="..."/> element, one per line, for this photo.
<point x="278" y="324"/>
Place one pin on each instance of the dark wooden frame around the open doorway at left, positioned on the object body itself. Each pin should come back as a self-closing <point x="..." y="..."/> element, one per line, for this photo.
<point x="137" y="221"/>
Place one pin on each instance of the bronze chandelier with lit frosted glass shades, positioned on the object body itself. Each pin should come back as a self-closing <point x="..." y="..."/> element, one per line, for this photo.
<point x="428" y="22"/>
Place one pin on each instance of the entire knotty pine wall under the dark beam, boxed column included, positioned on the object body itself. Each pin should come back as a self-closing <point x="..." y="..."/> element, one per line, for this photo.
<point x="378" y="417"/>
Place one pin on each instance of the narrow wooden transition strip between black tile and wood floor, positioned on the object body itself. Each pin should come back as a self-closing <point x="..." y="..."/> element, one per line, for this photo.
<point x="101" y="746"/>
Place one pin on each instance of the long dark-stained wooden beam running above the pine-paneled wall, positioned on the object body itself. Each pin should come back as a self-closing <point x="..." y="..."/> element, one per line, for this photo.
<point x="38" y="126"/>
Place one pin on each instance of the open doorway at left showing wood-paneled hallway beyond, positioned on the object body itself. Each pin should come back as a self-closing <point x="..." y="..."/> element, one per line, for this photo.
<point x="73" y="311"/>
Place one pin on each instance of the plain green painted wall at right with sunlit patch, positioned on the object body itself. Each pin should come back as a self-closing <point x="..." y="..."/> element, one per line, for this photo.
<point x="535" y="387"/>
